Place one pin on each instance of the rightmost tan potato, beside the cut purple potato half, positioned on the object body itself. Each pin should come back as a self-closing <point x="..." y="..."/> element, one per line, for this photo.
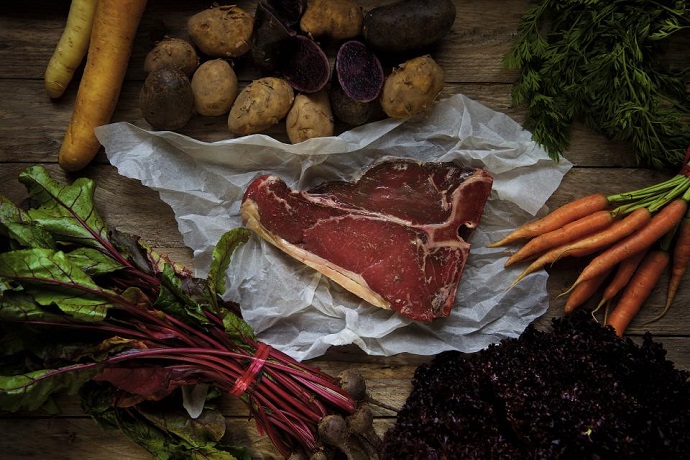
<point x="412" y="87"/>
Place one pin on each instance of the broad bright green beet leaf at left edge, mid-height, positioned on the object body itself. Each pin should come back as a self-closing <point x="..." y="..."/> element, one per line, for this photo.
<point x="51" y="278"/>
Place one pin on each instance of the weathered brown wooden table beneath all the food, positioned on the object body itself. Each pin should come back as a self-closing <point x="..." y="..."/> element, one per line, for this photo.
<point x="32" y="127"/>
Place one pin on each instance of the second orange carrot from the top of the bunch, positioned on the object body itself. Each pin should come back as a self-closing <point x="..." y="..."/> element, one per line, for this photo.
<point x="569" y="232"/>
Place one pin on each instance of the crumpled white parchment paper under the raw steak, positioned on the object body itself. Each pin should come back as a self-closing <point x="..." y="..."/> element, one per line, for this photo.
<point x="294" y="308"/>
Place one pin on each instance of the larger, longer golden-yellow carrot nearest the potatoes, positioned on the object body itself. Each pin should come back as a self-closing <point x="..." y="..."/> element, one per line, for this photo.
<point x="114" y="27"/>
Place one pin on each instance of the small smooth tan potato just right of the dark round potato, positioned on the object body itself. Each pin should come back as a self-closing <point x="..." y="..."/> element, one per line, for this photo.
<point x="214" y="86"/>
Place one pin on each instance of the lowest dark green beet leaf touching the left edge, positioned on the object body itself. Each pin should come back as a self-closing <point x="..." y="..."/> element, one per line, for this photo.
<point x="32" y="390"/>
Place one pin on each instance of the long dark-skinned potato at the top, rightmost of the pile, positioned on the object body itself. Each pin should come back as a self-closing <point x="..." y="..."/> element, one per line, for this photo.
<point x="408" y="25"/>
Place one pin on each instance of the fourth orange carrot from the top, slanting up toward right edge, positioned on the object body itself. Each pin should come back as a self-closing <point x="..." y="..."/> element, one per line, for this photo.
<point x="664" y="221"/>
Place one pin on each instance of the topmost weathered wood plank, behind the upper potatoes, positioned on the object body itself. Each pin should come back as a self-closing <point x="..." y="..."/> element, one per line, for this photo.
<point x="472" y="52"/>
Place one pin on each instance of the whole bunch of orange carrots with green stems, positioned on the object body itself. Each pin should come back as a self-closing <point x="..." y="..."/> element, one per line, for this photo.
<point x="629" y="238"/>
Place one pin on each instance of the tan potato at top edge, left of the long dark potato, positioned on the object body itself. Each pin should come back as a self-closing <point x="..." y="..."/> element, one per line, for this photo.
<point x="337" y="19"/>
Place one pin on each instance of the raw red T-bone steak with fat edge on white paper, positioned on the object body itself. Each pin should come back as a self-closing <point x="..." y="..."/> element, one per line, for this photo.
<point x="394" y="237"/>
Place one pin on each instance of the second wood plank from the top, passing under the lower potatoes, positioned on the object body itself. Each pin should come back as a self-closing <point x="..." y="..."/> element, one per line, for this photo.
<point x="33" y="126"/>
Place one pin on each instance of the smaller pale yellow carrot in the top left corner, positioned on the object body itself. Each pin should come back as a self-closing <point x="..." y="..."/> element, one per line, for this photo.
<point x="71" y="48"/>
